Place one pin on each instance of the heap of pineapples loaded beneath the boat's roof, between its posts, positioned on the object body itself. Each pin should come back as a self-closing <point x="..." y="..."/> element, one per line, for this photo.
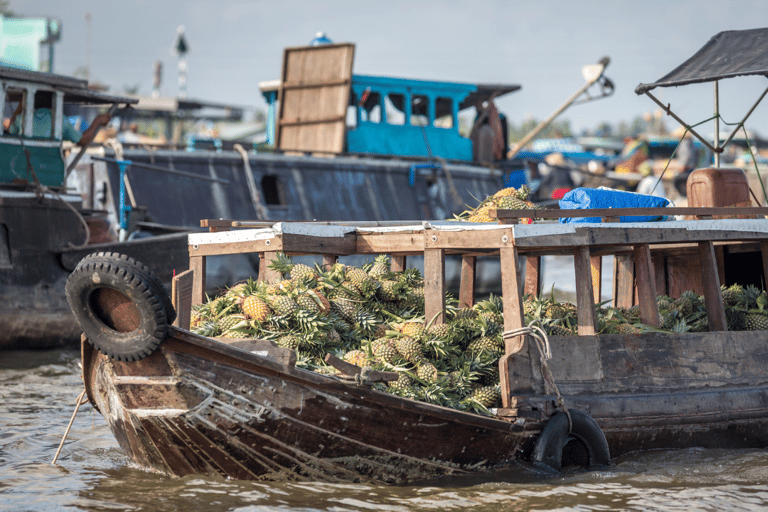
<point x="373" y="317"/>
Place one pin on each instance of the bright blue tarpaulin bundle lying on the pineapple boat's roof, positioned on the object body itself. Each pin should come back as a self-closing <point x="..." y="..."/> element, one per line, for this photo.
<point x="593" y="198"/>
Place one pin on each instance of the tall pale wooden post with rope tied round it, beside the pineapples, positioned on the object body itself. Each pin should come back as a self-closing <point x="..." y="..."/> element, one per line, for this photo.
<point x="513" y="319"/>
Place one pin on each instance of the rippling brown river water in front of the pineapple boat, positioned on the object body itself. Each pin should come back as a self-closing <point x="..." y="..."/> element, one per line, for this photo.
<point x="39" y="388"/>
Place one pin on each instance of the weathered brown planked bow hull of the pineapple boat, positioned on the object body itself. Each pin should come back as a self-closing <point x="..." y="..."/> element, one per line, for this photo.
<point x="201" y="407"/>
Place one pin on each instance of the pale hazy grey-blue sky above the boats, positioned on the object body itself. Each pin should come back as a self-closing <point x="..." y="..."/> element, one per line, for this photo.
<point x="540" y="45"/>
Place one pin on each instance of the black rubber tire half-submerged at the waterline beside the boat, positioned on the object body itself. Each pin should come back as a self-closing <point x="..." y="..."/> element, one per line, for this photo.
<point x="550" y="444"/>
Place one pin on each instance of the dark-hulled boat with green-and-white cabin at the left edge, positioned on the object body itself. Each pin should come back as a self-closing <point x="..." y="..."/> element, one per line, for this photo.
<point x="44" y="227"/>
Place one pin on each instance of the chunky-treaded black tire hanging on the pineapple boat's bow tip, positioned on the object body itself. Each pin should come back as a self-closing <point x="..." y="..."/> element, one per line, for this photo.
<point x="139" y="323"/>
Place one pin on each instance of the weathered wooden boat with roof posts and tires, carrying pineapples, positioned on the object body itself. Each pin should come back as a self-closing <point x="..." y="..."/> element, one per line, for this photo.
<point x="239" y="408"/>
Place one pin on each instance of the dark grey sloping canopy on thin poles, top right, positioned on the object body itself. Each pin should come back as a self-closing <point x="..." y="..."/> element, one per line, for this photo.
<point x="728" y="54"/>
